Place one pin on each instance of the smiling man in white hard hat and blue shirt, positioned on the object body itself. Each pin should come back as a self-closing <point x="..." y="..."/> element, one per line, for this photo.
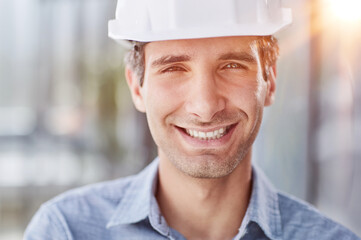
<point x="202" y="76"/>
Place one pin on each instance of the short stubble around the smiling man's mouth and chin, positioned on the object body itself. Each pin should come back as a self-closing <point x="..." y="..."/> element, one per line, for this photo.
<point x="209" y="163"/>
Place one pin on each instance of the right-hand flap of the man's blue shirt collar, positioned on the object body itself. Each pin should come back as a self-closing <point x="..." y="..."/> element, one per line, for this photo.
<point x="263" y="208"/>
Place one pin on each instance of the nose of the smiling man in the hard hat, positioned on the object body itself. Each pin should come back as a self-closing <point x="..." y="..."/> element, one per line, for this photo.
<point x="205" y="97"/>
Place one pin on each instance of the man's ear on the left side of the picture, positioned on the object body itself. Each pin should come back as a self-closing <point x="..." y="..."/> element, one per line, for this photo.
<point x="135" y="89"/>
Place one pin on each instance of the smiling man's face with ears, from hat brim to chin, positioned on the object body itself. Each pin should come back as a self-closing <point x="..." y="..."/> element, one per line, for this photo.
<point x="204" y="100"/>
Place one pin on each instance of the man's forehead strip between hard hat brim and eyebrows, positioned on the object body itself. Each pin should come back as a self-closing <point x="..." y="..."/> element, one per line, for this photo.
<point x="207" y="47"/>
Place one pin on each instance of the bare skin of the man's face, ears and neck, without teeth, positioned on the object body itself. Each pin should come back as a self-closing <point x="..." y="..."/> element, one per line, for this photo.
<point x="203" y="85"/>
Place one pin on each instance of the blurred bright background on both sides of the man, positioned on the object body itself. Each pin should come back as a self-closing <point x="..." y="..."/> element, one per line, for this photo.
<point x="66" y="117"/>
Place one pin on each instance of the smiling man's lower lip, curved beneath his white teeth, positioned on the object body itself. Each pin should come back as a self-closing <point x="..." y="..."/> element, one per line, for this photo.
<point x="198" y="143"/>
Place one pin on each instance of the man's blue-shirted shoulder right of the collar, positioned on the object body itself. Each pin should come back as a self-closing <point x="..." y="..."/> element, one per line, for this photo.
<point x="300" y="220"/>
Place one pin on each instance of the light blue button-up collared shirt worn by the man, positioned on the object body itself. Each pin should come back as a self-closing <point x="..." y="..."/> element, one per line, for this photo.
<point x="127" y="209"/>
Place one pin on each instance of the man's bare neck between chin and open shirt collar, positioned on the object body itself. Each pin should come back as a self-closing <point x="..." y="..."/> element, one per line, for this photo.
<point x="204" y="208"/>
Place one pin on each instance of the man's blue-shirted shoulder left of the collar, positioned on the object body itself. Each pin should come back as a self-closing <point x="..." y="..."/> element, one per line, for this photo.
<point x="76" y="209"/>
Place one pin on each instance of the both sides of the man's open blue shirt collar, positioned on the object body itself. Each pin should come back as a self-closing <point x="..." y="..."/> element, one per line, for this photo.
<point x="139" y="198"/>
